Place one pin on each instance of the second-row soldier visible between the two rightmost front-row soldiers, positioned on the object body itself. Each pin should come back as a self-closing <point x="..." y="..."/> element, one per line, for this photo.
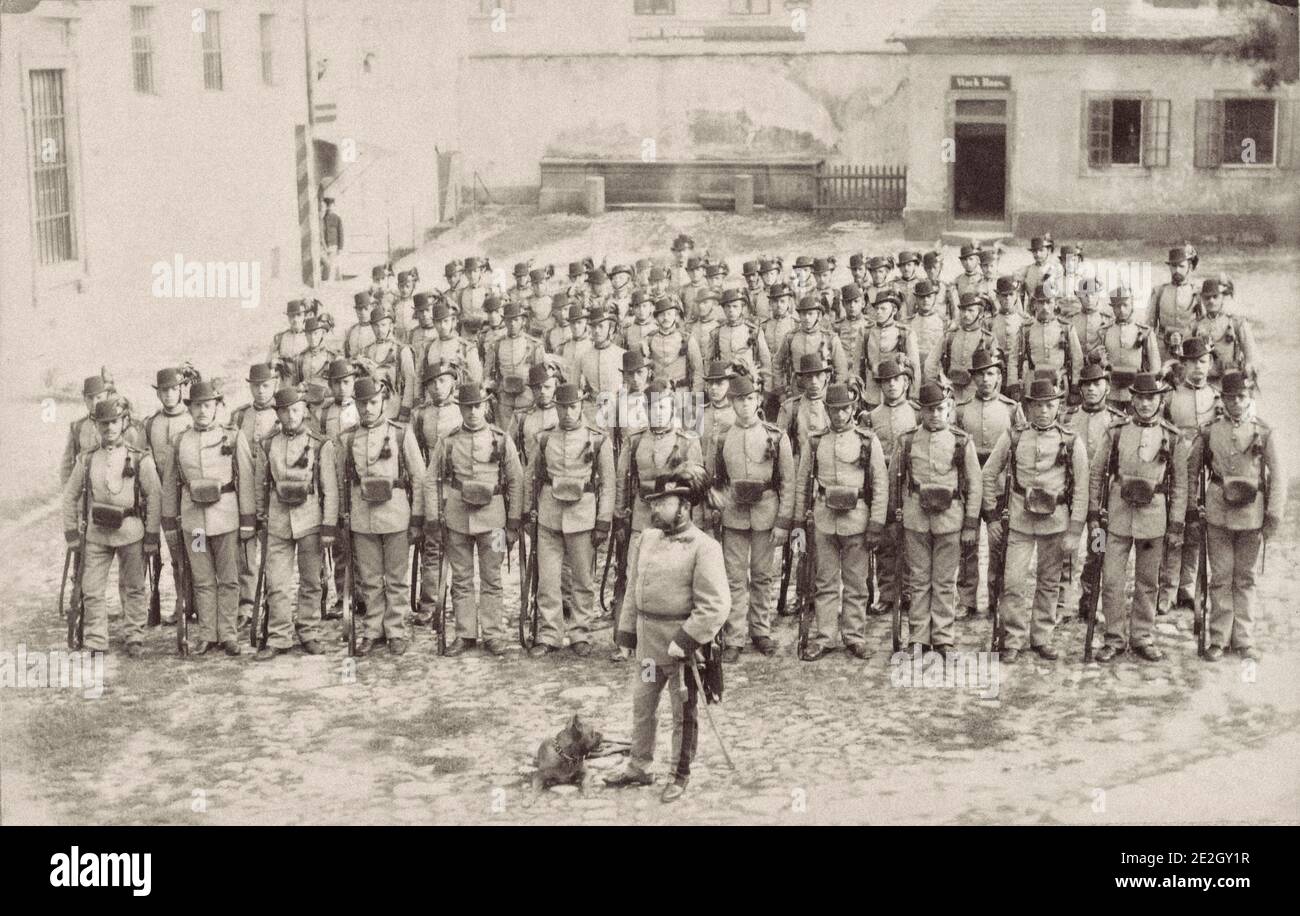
<point x="1191" y="407"/>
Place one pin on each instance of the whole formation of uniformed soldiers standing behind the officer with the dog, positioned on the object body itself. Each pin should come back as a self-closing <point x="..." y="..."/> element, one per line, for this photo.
<point x="883" y="462"/>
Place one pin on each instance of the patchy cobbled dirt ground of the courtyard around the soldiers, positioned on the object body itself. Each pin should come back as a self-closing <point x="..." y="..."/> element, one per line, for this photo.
<point x="426" y="740"/>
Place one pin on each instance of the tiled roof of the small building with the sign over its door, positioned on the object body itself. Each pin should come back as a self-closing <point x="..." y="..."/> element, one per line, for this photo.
<point x="1164" y="21"/>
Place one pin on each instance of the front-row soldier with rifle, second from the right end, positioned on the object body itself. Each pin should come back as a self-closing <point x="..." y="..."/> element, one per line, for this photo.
<point x="1143" y="462"/>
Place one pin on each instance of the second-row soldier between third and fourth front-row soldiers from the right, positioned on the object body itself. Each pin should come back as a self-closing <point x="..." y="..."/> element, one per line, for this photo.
<point x="986" y="415"/>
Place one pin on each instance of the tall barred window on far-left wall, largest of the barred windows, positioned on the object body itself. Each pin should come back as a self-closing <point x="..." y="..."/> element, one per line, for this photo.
<point x="53" y="196"/>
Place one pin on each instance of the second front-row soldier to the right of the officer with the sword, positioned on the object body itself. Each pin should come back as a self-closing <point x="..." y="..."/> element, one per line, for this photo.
<point x="847" y="470"/>
